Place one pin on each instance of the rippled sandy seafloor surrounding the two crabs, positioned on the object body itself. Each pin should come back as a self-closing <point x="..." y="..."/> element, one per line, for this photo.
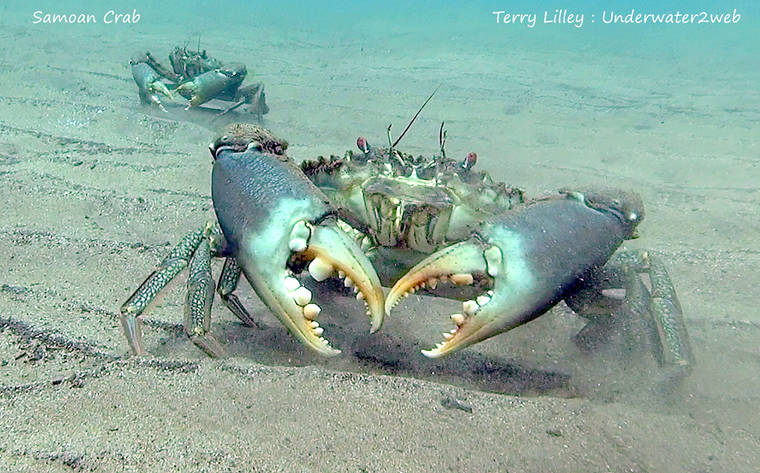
<point x="97" y="188"/>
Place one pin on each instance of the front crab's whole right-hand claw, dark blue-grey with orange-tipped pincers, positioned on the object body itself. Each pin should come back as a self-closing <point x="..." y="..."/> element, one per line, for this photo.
<point x="526" y="261"/>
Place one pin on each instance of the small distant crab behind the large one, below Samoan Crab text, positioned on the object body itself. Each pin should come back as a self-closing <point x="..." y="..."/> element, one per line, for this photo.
<point x="197" y="77"/>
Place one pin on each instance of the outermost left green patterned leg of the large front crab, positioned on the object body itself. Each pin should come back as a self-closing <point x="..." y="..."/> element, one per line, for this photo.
<point x="158" y="279"/>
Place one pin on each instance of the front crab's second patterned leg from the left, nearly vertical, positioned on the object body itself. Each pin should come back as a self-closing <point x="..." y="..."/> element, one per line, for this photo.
<point x="200" y="296"/>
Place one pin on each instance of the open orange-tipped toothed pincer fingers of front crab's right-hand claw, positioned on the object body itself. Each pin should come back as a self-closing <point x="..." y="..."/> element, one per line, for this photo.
<point x="472" y="262"/>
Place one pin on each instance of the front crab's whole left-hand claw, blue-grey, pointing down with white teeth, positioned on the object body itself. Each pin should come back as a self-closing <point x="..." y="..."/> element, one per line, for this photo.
<point x="278" y="223"/>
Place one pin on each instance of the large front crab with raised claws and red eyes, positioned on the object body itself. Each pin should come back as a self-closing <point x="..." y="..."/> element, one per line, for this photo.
<point x="413" y="223"/>
